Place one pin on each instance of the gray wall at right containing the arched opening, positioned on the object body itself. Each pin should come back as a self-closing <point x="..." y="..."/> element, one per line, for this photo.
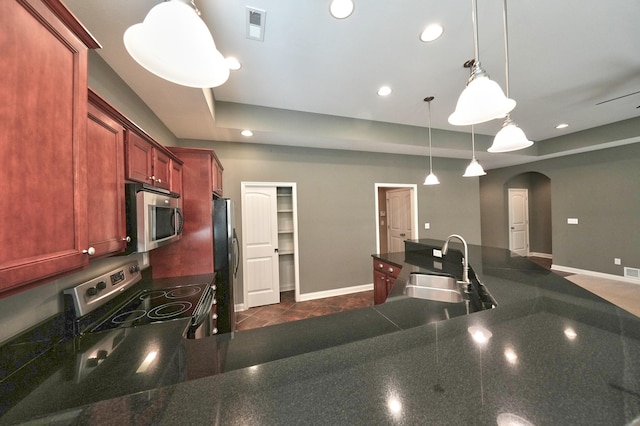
<point x="601" y="189"/>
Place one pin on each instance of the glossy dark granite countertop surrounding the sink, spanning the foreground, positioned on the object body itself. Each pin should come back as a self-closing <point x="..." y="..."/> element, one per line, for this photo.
<point x="557" y="355"/>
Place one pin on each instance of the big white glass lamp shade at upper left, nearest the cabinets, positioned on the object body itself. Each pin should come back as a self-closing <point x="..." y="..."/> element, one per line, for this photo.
<point x="174" y="43"/>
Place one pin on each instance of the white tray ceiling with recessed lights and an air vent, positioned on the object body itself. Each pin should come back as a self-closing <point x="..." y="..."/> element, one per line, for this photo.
<point x="313" y="80"/>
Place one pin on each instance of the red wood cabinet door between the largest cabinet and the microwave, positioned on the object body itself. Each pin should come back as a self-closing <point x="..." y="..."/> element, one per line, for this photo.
<point x="106" y="204"/>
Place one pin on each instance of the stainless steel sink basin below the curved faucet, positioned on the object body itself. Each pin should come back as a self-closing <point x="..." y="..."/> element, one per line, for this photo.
<point x="438" y="288"/>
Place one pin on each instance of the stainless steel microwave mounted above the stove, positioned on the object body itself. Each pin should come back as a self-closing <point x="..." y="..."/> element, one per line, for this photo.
<point x="154" y="217"/>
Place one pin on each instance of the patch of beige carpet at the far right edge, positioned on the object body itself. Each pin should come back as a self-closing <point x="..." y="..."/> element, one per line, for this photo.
<point x="621" y="293"/>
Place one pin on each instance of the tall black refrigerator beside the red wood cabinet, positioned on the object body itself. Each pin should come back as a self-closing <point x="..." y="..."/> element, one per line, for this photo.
<point x="226" y="257"/>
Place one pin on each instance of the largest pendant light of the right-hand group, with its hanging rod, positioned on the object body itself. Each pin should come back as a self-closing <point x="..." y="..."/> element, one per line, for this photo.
<point x="482" y="100"/>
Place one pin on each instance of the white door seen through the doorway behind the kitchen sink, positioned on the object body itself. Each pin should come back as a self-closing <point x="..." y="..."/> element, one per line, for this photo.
<point x="398" y="218"/>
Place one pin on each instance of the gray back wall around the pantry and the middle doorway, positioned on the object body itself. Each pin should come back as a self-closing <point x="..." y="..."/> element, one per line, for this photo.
<point x="336" y="202"/>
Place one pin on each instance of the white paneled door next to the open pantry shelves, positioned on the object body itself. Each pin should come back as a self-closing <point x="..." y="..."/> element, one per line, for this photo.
<point x="260" y="241"/>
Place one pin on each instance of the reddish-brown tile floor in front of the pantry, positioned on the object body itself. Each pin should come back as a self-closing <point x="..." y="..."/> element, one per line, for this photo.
<point x="290" y="310"/>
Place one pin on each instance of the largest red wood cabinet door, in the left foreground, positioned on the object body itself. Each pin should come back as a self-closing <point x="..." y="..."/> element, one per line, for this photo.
<point x="43" y="107"/>
